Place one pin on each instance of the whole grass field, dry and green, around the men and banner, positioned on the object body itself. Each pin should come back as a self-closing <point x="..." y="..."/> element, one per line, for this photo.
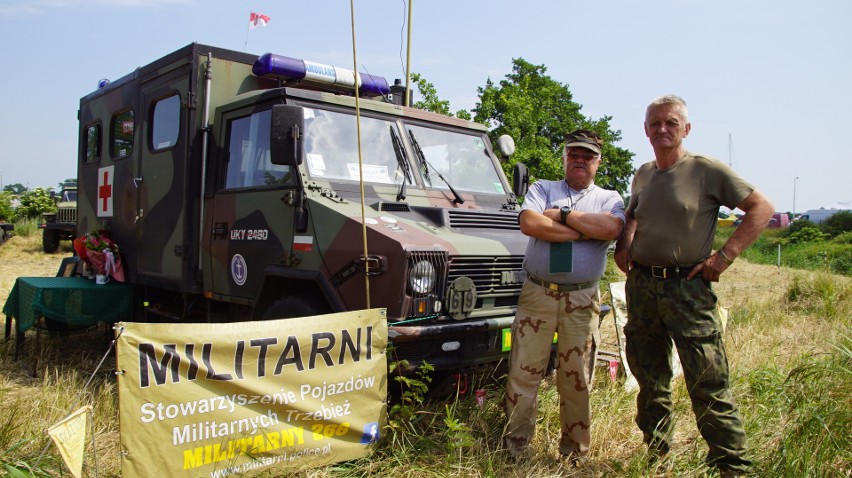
<point x="789" y="341"/>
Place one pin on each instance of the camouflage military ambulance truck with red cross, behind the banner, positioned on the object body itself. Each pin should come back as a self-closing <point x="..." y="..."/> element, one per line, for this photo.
<point x="232" y="185"/>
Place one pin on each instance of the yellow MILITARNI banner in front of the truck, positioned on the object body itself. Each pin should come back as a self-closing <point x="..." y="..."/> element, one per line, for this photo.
<point x="215" y="400"/>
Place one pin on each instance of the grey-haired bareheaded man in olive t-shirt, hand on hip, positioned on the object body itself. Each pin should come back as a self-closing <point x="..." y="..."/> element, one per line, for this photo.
<point x="666" y="251"/>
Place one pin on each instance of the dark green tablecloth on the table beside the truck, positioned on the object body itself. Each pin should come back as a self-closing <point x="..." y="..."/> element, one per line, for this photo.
<point x="71" y="300"/>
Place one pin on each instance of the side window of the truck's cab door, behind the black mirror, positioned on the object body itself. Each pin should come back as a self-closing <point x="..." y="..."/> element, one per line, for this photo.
<point x="249" y="160"/>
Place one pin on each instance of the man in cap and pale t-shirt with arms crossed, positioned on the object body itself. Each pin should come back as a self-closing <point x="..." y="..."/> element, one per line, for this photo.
<point x="570" y="224"/>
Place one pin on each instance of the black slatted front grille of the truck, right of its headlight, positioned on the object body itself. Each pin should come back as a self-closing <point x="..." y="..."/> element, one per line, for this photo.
<point x="497" y="277"/>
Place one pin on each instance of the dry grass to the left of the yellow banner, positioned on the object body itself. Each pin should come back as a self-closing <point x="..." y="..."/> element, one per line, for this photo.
<point x="38" y="402"/>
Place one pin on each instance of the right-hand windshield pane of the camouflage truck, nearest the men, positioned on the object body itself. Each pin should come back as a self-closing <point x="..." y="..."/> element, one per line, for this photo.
<point x="462" y="160"/>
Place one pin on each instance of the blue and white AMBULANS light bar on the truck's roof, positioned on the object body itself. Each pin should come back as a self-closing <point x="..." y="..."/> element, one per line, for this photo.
<point x="270" y="64"/>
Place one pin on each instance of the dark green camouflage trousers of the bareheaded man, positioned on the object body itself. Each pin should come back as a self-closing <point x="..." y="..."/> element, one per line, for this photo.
<point x="684" y="311"/>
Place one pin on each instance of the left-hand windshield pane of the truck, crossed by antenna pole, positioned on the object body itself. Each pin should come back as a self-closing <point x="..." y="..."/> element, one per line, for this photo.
<point x="331" y="148"/>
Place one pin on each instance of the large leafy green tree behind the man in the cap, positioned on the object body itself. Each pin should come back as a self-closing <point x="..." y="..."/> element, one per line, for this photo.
<point x="537" y="112"/>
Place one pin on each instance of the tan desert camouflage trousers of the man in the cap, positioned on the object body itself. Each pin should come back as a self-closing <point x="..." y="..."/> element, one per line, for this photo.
<point x="574" y="317"/>
